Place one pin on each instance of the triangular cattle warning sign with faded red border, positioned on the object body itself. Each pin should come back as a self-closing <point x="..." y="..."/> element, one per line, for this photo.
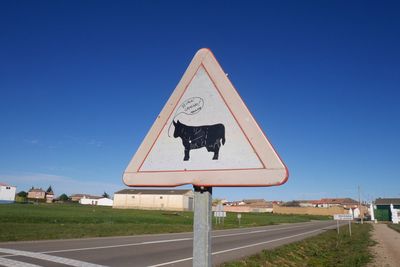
<point x="205" y="136"/>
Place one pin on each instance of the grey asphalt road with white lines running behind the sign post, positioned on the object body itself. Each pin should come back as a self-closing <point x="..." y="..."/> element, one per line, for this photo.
<point x="153" y="250"/>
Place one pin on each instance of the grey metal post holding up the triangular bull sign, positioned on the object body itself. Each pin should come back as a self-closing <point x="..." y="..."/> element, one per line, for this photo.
<point x="202" y="226"/>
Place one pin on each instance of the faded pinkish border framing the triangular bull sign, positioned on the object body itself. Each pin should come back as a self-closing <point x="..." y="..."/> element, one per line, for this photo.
<point x="274" y="173"/>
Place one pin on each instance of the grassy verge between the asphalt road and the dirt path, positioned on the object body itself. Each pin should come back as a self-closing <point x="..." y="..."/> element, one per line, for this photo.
<point x="326" y="249"/>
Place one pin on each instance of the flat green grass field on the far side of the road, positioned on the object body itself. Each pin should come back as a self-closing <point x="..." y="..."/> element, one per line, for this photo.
<point x="56" y="221"/>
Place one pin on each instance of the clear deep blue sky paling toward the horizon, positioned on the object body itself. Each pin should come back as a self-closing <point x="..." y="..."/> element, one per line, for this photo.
<point x="81" y="83"/>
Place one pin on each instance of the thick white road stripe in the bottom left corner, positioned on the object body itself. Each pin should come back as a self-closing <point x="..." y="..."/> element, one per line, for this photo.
<point x="56" y="259"/>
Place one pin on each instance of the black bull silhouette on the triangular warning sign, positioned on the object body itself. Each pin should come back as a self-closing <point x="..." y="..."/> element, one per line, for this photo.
<point x="194" y="137"/>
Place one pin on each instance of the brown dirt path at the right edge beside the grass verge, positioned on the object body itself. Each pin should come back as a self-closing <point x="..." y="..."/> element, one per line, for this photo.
<point x="387" y="251"/>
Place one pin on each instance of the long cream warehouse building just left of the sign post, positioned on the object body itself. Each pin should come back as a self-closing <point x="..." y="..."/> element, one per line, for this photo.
<point x="154" y="199"/>
